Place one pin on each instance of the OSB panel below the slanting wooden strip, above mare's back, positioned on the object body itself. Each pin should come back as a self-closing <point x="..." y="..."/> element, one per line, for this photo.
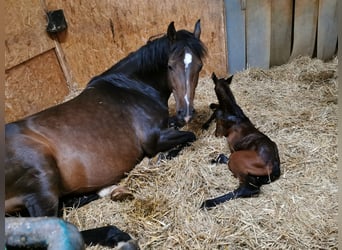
<point x="34" y="85"/>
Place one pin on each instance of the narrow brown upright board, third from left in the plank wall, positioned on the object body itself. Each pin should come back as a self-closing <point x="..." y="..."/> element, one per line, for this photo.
<point x="281" y="31"/>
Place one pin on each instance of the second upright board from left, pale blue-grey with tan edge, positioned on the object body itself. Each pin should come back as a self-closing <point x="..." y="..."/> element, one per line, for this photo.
<point x="258" y="33"/>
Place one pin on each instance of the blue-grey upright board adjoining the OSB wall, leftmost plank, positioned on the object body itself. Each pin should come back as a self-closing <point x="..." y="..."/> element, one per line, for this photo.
<point x="236" y="46"/>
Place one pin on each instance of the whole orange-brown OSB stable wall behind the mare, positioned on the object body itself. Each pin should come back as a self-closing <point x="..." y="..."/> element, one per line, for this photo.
<point x="41" y="70"/>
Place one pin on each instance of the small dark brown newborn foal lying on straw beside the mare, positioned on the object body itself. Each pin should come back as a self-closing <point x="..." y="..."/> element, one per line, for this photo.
<point x="254" y="158"/>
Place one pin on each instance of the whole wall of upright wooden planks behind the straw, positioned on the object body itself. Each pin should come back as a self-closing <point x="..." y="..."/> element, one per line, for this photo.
<point x="265" y="33"/>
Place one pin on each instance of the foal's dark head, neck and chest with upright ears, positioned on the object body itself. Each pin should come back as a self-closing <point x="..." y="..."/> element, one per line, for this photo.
<point x="228" y="113"/>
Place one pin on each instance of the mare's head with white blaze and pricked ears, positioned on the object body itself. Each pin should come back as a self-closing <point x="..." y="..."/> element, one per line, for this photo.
<point x="184" y="66"/>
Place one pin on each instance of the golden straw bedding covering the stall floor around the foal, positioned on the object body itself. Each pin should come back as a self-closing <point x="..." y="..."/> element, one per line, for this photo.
<point x="296" y="106"/>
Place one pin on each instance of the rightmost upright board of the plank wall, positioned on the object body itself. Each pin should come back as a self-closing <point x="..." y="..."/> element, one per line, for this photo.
<point x="327" y="29"/>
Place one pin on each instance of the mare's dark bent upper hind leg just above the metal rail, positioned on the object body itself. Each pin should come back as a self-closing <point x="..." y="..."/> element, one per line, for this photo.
<point x="36" y="180"/>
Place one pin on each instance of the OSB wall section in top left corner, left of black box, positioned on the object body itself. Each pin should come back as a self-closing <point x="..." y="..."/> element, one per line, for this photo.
<point x="25" y="35"/>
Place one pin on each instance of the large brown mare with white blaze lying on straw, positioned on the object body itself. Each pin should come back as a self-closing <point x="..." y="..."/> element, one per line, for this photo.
<point x="93" y="140"/>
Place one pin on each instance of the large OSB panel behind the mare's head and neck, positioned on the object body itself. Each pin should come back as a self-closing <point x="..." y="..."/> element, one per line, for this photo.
<point x="102" y="32"/>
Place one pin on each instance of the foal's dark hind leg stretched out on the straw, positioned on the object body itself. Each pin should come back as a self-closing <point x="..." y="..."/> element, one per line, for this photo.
<point x="243" y="191"/>
